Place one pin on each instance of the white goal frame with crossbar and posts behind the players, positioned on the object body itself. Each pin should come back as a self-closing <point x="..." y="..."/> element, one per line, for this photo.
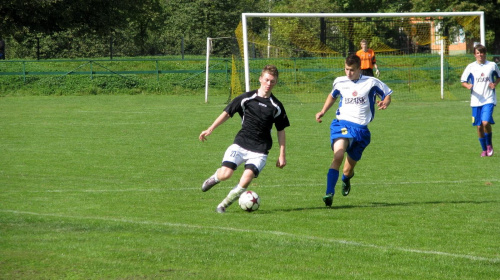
<point x="244" y="17"/>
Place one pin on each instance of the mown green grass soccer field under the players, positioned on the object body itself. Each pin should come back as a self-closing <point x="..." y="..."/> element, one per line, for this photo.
<point x="108" y="187"/>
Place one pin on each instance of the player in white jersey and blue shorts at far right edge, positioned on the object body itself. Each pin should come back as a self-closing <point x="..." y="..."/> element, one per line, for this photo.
<point x="481" y="77"/>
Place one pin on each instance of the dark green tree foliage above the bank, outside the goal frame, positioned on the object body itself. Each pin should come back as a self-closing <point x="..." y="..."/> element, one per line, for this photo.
<point x="77" y="28"/>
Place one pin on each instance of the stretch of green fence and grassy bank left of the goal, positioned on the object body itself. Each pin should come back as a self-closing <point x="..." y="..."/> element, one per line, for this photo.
<point x="157" y="75"/>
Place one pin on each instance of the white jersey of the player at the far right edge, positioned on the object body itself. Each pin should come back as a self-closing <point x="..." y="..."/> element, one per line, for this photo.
<point x="480" y="76"/>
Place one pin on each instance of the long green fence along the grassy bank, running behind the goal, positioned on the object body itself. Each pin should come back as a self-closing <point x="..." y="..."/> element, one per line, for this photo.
<point x="301" y="79"/>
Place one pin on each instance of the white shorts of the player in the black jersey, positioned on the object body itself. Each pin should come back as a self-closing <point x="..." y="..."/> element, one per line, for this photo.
<point x="236" y="155"/>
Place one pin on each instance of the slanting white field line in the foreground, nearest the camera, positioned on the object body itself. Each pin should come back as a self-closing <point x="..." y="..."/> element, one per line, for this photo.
<point x="267" y="232"/>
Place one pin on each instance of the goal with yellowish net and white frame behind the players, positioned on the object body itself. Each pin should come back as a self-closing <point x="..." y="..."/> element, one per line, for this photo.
<point x="420" y="55"/>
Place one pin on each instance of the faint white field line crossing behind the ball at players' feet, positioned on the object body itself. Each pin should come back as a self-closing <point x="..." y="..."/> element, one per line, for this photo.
<point x="301" y="185"/>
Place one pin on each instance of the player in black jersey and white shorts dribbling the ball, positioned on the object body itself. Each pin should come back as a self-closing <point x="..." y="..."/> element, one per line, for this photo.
<point x="259" y="110"/>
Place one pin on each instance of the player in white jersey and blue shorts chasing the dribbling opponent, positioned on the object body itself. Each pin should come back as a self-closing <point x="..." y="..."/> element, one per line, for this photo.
<point x="349" y="133"/>
